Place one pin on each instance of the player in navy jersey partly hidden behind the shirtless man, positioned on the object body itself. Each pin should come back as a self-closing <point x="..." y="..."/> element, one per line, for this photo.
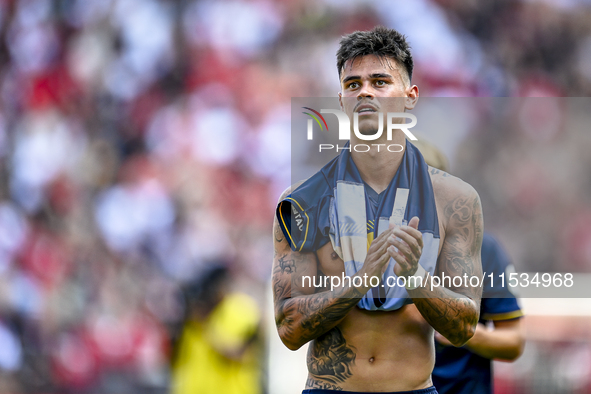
<point x="468" y="369"/>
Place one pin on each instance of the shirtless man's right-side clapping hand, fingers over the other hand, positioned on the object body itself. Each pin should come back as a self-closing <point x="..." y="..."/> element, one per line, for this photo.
<point x="406" y="247"/>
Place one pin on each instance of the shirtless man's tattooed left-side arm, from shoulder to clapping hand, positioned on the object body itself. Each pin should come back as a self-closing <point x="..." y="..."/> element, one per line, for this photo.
<point x="300" y="314"/>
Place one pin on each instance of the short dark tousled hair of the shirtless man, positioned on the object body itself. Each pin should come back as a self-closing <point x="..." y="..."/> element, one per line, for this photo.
<point x="380" y="41"/>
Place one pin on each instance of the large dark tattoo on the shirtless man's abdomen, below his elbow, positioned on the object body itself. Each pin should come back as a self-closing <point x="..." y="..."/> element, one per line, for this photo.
<point x="330" y="358"/>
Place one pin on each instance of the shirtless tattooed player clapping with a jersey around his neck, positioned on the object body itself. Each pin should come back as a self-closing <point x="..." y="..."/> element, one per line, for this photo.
<point x="374" y="338"/>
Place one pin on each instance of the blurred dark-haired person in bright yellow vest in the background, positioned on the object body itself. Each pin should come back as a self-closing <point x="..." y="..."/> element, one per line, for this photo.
<point x="218" y="350"/>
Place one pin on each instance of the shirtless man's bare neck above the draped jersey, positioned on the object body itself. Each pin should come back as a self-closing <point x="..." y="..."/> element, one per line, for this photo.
<point x="378" y="168"/>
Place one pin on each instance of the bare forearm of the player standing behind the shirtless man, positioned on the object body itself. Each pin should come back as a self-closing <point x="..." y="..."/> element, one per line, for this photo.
<point x="505" y="342"/>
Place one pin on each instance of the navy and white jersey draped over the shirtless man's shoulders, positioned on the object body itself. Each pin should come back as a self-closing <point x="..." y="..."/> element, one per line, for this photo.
<point x="335" y="205"/>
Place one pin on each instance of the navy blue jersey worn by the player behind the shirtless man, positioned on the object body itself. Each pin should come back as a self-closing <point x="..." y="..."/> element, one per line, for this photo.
<point x="458" y="370"/>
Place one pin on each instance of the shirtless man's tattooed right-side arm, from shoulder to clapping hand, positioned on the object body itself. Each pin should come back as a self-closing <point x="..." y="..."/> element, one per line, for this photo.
<point x="451" y="311"/>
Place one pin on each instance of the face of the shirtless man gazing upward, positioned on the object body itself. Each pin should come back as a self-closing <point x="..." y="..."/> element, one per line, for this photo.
<point x="365" y="81"/>
